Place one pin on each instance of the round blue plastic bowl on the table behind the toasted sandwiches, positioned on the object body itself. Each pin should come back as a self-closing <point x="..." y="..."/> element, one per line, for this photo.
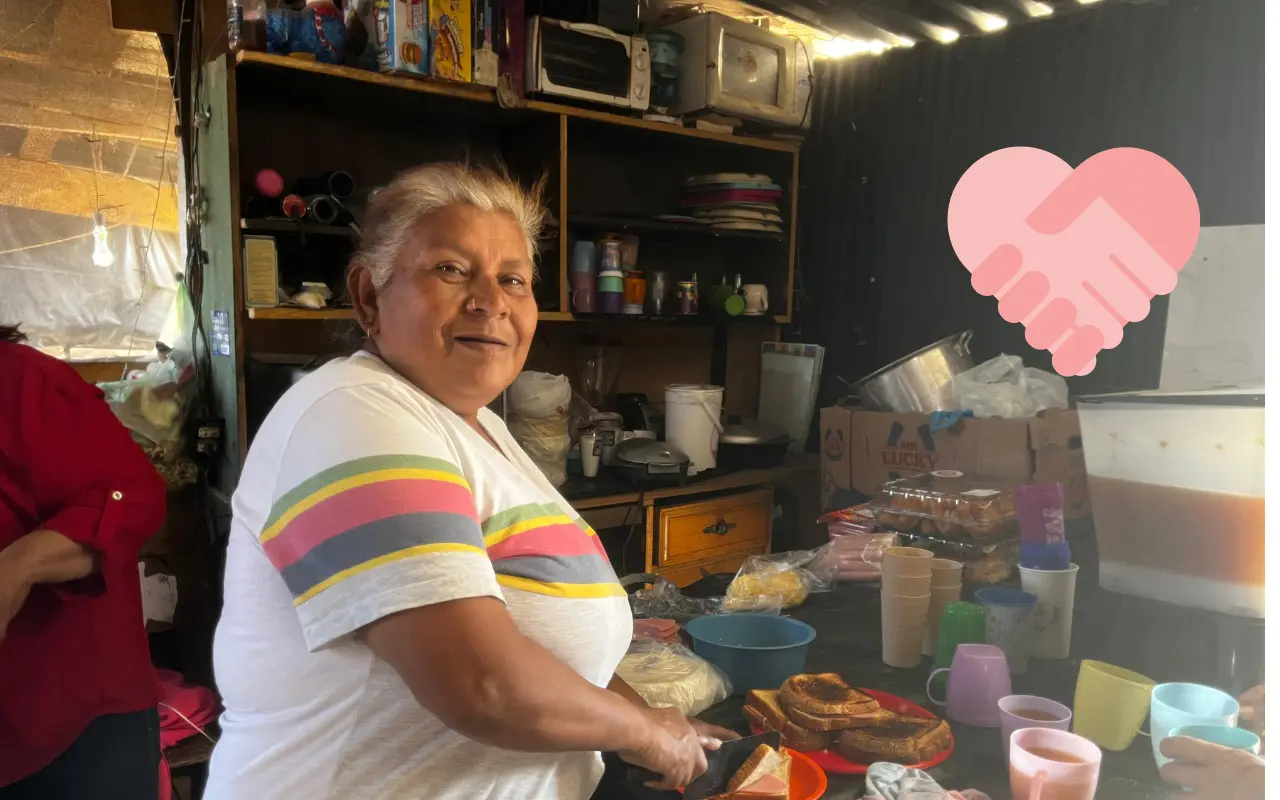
<point x="755" y="651"/>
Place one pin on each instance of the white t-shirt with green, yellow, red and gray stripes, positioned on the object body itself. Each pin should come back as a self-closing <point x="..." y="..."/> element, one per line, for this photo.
<point x="363" y="497"/>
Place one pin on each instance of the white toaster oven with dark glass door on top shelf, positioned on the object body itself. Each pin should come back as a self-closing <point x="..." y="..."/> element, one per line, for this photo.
<point x="587" y="62"/>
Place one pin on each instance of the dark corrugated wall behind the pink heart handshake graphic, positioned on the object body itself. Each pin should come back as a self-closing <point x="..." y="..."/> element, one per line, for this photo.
<point x="894" y="134"/>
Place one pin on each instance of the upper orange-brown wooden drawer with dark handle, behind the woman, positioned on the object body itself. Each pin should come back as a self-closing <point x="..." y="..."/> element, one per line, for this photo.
<point x="724" y="527"/>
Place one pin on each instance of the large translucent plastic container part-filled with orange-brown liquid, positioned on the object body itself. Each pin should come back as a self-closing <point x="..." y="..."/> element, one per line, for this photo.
<point x="1177" y="484"/>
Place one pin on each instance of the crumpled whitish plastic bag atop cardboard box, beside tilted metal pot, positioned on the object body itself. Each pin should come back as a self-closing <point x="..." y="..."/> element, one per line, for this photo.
<point x="1005" y="388"/>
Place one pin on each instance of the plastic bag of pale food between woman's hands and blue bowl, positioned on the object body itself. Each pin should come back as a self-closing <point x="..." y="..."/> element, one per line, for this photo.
<point x="673" y="676"/>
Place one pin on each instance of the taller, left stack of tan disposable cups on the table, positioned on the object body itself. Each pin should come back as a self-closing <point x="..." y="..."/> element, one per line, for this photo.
<point x="906" y="582"/>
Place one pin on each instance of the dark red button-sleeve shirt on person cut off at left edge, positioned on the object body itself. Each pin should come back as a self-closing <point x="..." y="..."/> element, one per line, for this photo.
<point x="76" y="651"/>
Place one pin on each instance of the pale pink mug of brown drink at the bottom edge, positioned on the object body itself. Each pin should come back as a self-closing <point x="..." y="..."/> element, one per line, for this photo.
<point x="1049" y="765"/>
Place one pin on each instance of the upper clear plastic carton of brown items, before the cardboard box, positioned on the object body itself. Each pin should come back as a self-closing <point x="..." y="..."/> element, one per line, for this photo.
<point x="948" y="502"/>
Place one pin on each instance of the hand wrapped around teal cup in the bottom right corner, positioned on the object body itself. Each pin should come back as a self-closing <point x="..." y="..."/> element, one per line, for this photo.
<point x="1205" y="770"/>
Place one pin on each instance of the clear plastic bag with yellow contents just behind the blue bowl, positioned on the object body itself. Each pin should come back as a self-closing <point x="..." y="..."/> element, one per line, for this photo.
<point x="781" y="580"/>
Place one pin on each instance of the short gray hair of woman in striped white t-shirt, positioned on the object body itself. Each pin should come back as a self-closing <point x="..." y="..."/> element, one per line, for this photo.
<point x="396" y="209"/>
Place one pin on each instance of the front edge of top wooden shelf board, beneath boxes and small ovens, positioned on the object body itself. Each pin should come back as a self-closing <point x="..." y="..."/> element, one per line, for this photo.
<point x="484" y="95"/>
